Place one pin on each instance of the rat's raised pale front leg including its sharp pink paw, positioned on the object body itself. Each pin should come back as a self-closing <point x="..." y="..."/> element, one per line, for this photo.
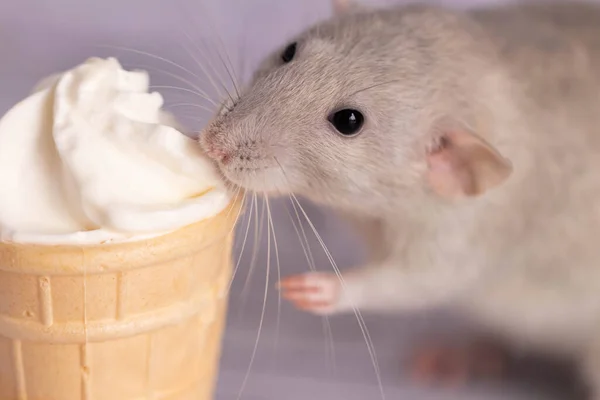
<point x="376" y="287"/>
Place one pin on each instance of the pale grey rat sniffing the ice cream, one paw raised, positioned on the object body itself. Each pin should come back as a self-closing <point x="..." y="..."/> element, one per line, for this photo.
<point x="464" y="145"/>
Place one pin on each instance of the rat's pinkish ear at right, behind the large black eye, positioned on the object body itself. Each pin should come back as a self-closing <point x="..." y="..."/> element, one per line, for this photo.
<point x="461" y="164"/>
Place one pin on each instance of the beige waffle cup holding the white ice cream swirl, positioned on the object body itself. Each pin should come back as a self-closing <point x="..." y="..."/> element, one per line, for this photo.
<point x="155" y="315"/>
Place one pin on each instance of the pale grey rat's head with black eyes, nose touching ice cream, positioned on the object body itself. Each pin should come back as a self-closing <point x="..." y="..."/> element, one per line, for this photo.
<point x="354" y="112"/>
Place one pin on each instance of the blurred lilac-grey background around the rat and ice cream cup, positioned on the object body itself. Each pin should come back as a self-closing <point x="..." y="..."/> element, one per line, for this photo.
<point x="294" y="359"/>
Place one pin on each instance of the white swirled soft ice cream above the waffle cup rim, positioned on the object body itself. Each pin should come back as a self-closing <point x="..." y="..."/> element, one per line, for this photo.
<point x="90" y="157"/>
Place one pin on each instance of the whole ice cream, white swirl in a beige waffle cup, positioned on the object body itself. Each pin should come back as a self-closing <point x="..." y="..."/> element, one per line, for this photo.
<point x="115" y="247"/>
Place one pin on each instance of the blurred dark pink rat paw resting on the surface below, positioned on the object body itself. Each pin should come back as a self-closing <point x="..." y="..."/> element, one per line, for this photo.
<point x="456" y="366"/>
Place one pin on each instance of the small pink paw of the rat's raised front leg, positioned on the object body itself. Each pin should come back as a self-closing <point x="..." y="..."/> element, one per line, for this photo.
<point x="315" y="292"/>
